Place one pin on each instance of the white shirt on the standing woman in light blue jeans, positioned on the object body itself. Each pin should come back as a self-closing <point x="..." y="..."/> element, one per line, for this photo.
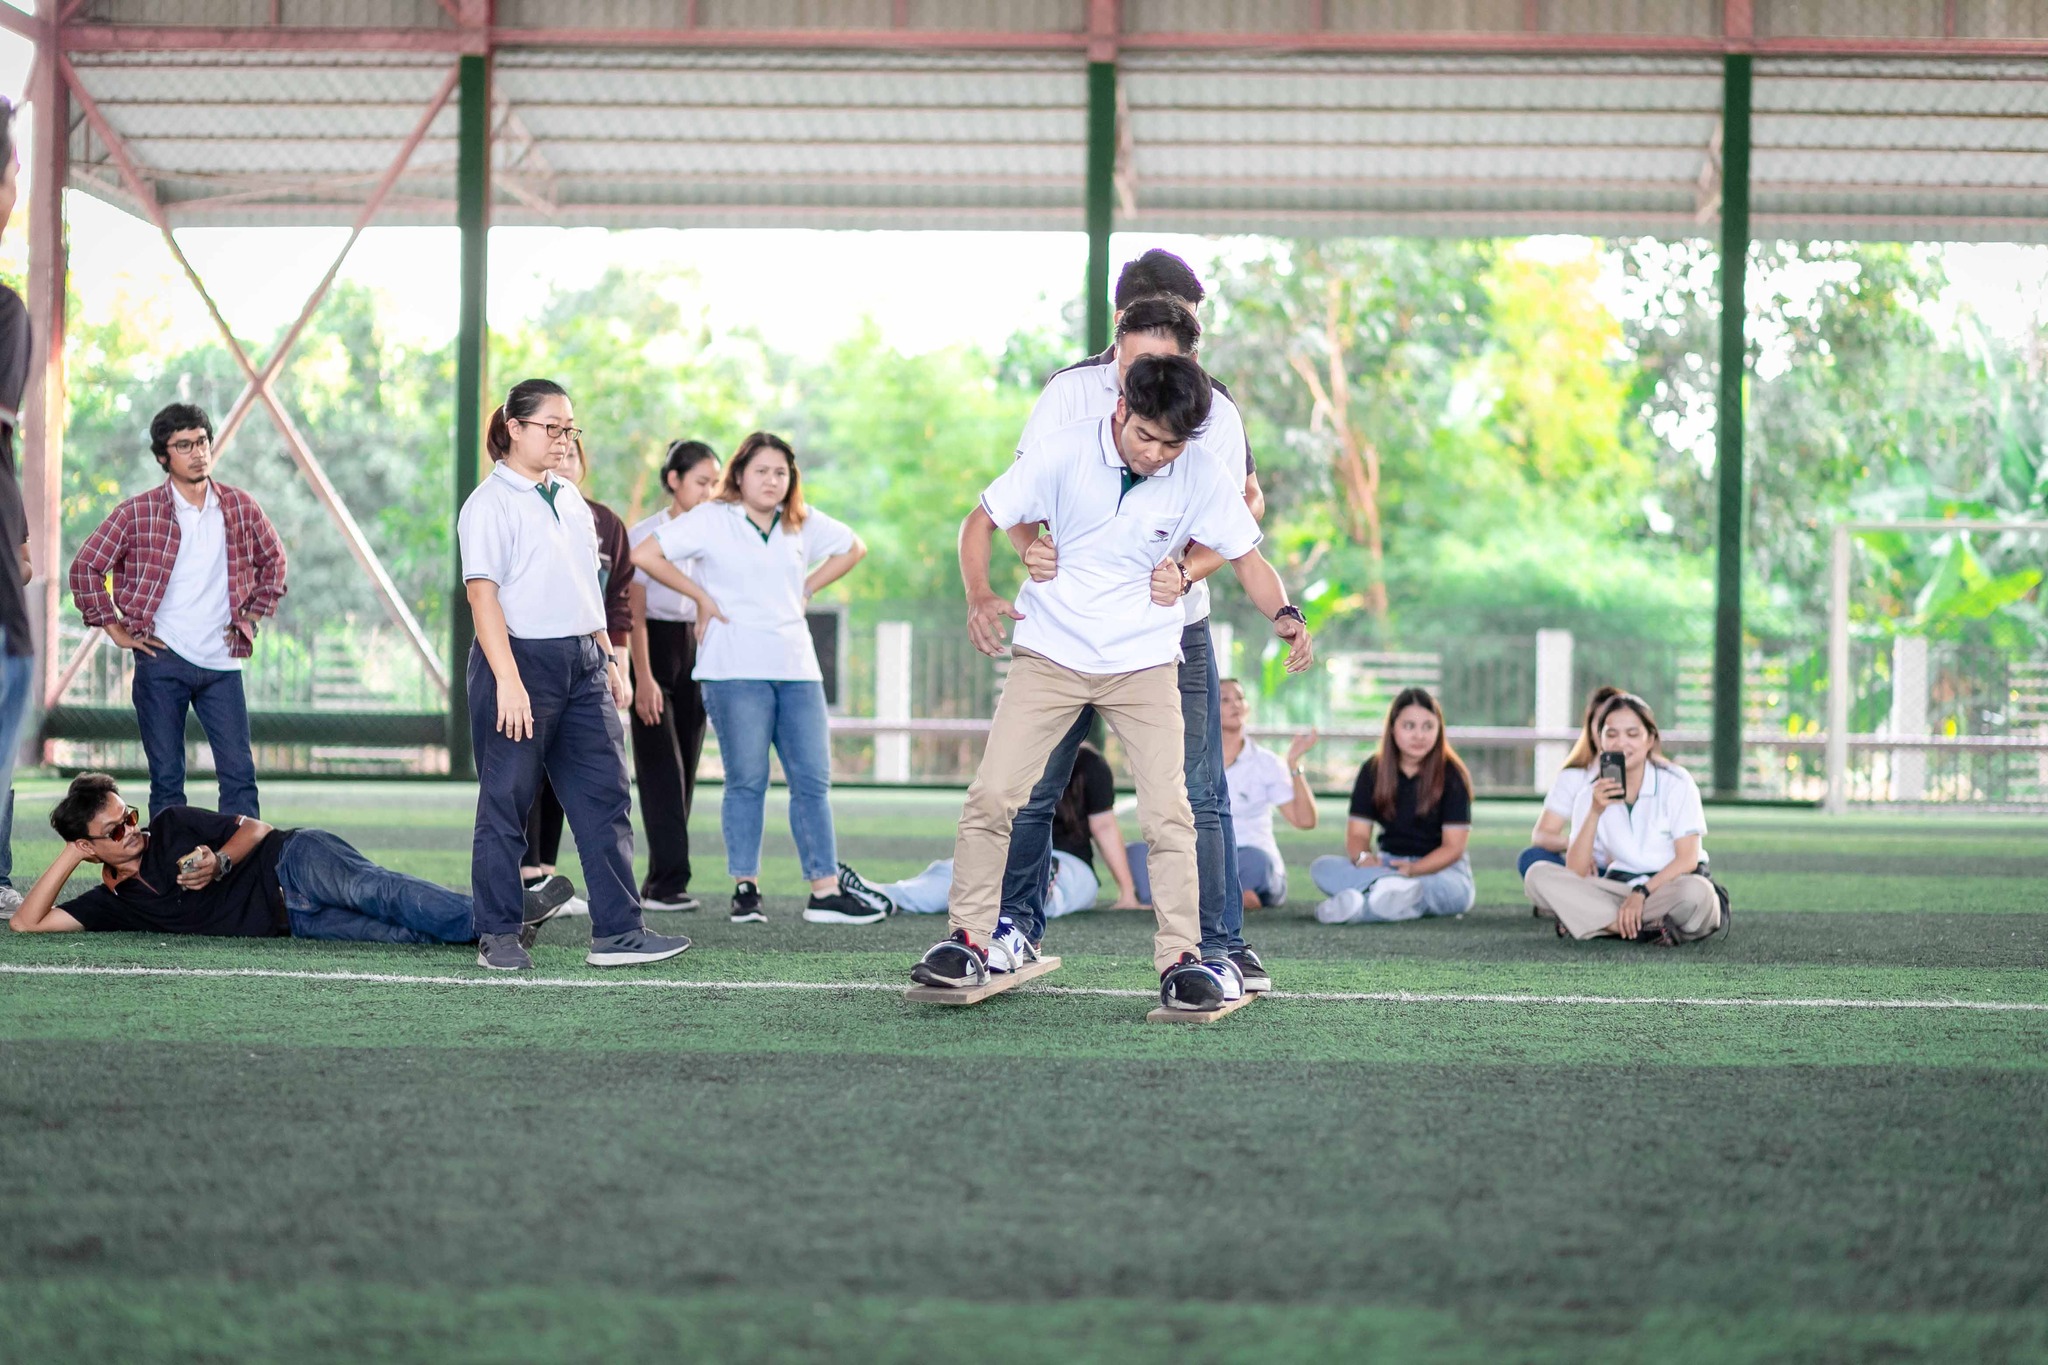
<point x="759" y="584"/>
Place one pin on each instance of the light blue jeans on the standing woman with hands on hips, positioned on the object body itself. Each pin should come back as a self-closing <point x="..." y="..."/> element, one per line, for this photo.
<point x="751" y="715"/>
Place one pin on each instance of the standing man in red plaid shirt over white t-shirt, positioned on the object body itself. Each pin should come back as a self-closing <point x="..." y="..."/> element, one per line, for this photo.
<point x="181" y="576"/>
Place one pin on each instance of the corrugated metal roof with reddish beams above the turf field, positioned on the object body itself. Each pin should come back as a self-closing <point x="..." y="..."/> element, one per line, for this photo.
<point x="1889" y="120"/>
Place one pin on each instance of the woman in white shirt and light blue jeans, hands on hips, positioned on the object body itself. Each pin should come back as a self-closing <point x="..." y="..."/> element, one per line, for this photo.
<point x="757" y="554"/>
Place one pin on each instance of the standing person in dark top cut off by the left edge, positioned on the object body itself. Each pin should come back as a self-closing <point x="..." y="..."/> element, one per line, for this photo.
<point x="17" y="644"/>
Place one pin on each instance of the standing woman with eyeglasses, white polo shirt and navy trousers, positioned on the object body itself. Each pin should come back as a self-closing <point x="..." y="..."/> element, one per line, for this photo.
<point x="546" y="687"/>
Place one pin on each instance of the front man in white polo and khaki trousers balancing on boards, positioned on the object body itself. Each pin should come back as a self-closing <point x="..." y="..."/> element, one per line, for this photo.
<point x="1119" y="502"/>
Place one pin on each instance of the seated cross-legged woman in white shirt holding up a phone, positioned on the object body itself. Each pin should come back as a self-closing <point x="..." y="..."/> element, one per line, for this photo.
<point x="1648" y="834"/>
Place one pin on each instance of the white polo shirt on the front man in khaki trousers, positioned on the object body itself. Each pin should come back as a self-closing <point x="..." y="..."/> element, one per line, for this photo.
<point x="1097" y="615"/>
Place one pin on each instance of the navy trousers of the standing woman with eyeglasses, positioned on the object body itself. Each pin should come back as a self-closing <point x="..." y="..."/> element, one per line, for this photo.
<point x="583" y="750"/>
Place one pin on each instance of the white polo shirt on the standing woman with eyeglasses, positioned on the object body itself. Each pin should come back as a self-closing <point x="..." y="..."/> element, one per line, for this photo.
<point x="544" y="558"/>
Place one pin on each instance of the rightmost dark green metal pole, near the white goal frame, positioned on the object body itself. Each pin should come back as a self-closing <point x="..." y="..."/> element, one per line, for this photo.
<point x="1730" y="429"/>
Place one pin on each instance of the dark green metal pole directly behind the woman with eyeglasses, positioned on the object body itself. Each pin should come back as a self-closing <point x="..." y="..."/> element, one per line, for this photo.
<point x="472" y="216"/>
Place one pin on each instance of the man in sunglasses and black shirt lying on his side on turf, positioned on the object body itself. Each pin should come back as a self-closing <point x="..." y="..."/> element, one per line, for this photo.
<point x="234" y="877"/>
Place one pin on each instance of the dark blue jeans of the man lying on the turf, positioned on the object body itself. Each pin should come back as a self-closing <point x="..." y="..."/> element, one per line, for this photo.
<point x="337" y="893"/>
